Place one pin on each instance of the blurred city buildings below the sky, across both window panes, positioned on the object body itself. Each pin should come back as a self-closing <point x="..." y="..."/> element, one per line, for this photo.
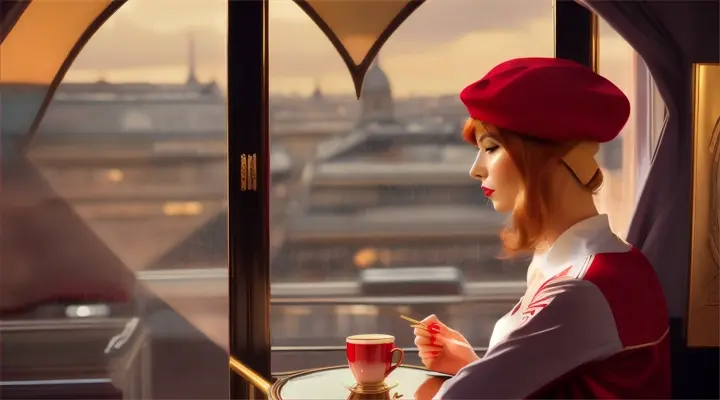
<point x="356" y="186"/>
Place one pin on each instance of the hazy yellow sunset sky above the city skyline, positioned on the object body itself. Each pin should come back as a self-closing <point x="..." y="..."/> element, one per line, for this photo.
<point x="444" y="46"/>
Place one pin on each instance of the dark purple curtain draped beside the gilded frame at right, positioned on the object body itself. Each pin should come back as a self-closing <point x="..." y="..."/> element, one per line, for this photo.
<point x="670" y="36"/>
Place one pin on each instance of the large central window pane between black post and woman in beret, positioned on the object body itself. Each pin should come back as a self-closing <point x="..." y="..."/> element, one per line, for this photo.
<point x="380" y="186"/>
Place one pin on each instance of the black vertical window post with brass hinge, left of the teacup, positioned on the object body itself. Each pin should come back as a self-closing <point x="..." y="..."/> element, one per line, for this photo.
<point x="248" y="190"/>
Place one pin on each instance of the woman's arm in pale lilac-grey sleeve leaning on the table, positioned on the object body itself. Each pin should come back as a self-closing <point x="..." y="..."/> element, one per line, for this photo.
<point x="568" y="325"/>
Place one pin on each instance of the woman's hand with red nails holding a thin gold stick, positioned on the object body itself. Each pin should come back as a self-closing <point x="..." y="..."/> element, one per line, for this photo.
<point x="443" y="349"/>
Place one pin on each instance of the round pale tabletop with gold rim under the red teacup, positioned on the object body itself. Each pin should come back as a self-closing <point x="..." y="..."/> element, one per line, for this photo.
<point x="332" y="383"/>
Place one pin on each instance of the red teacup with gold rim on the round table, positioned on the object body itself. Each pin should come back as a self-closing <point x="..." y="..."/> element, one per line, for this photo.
<point x="370" y="357"/>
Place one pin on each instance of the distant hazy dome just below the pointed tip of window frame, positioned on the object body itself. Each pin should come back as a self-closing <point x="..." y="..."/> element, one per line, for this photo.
<point x="376" y="97"/>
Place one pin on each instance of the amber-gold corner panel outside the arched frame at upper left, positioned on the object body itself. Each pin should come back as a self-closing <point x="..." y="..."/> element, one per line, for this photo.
<point x="44" y="38"/>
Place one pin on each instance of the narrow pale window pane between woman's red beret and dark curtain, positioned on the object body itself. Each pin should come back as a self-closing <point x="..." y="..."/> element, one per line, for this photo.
<point x="626" y="159"/>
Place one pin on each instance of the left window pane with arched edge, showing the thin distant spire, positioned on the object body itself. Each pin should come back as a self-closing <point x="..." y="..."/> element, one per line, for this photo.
<point x="115" y="246"/>
